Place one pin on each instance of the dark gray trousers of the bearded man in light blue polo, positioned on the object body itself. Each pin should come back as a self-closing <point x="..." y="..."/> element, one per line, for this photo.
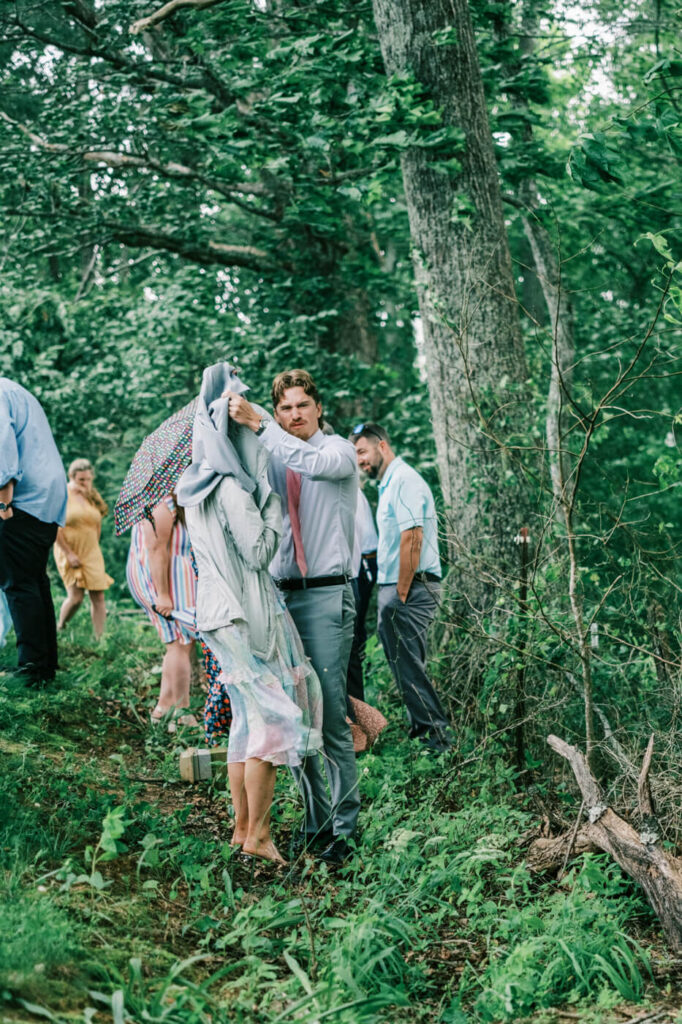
<point x="403" y="630"/>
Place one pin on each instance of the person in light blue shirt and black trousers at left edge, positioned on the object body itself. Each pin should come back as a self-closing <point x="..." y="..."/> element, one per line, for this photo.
<point x="33" y="504"/>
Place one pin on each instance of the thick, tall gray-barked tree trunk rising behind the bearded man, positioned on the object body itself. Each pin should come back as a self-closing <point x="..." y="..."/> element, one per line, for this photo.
<point x="475" y="356"/>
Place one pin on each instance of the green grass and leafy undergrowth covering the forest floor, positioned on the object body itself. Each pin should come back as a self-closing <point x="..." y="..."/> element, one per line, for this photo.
<point x="123" y="901"/>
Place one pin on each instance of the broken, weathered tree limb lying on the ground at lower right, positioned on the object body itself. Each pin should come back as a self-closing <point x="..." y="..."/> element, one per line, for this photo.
<point x="641" y="856"/>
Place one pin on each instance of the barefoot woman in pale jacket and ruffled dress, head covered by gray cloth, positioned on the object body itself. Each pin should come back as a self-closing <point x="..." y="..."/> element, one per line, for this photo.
<point x="235" y="524"/>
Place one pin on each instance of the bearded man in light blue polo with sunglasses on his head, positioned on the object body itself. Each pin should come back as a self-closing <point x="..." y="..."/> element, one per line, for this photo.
<point x="409" y="578"/>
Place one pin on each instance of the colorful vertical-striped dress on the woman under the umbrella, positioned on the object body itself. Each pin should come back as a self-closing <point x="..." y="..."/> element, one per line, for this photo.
<point x="183" y="580"/>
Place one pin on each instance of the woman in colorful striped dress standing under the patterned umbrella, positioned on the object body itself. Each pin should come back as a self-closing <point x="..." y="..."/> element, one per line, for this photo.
<point x="162" y="580"/>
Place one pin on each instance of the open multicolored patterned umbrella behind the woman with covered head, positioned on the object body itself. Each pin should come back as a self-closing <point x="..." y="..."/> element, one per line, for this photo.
<point x="162" y="458"/>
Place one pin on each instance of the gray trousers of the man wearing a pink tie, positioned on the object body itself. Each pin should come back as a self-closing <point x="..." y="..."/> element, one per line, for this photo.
<point x="325" y="618"/>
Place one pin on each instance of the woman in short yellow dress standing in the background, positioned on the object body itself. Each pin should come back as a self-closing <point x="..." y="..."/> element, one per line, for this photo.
<point x="77" y="552"/>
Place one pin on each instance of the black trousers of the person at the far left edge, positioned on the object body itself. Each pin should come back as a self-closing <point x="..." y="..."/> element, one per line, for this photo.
<point x="25" y="547"/>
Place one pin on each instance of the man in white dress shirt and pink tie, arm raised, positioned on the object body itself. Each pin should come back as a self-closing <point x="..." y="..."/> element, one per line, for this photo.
<point x="316" y="476"/>
